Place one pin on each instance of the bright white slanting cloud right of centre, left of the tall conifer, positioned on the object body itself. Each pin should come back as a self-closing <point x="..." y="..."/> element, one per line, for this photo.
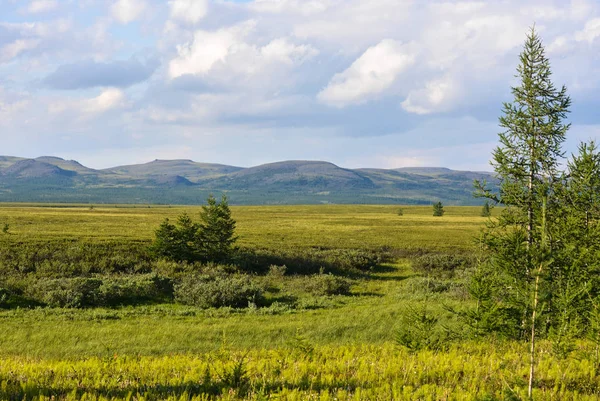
<point x="371" y="74"/>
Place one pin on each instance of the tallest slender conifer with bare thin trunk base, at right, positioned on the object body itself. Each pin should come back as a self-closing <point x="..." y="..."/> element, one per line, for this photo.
<point x="526" y="163"/>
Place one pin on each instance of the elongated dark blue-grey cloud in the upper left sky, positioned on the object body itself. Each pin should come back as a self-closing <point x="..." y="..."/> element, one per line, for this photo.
<point x="89" y="73"/>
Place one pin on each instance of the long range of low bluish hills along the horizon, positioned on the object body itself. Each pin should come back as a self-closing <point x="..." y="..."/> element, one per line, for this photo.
<point x="52" y="179"/>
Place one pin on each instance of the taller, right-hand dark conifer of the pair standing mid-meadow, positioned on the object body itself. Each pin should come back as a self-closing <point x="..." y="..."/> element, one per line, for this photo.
<point x="216" y="234"/>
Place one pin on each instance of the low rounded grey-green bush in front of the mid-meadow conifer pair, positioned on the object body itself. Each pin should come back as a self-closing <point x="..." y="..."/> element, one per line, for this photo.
<point x="214" y="291"/>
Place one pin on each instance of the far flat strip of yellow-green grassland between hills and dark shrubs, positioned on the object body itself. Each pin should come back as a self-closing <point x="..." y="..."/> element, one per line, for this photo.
<point x="330" y="226"/>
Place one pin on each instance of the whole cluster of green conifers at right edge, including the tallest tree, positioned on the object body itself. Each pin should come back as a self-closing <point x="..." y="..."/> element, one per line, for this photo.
<point x="543" y="247"/>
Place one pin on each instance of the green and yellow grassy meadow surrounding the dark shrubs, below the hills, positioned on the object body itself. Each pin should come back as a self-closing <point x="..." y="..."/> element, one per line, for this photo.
<point x="297" y="343"/>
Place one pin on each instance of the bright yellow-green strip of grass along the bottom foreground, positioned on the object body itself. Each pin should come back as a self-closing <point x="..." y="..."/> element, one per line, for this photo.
<point x="467" y="371"/>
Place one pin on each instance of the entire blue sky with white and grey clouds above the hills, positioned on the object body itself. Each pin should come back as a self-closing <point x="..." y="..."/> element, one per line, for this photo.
<point x="378" y="83"/>
